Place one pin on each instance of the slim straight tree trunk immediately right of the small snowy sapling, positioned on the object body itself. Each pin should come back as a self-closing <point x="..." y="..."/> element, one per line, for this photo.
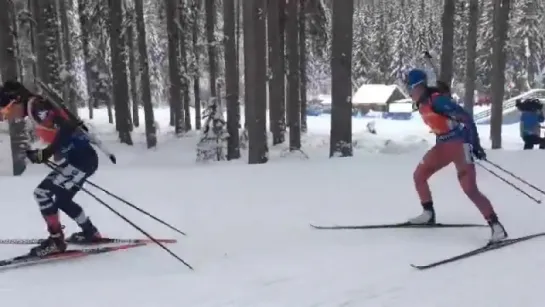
<point x="231" y="80"/>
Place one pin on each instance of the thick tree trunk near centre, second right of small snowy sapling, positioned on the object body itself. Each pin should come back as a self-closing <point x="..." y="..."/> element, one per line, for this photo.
<point x="255" y="80"/>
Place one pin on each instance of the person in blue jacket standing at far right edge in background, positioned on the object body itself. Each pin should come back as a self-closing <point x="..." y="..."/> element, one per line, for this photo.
<point x="531" y="117"/>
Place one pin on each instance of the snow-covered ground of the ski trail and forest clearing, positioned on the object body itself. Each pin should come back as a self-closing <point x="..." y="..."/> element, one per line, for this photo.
<point x="249" y="237"/>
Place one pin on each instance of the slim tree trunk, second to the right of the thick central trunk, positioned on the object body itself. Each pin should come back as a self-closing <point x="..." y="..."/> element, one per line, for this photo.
<point x="292" y="45"/>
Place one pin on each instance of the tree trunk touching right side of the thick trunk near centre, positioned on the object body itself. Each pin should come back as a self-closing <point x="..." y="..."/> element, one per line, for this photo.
<point x="276" y="80"/>
